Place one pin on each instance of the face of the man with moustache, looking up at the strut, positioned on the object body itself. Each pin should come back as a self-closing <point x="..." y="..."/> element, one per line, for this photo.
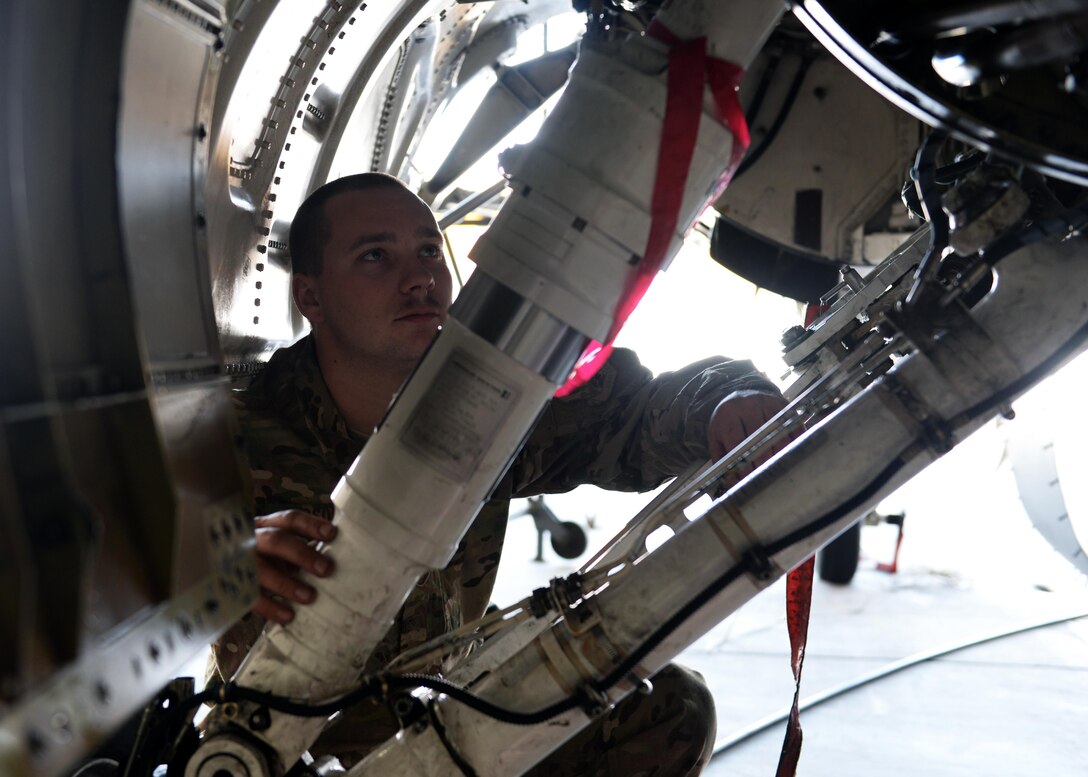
<point x="385" y="288"/>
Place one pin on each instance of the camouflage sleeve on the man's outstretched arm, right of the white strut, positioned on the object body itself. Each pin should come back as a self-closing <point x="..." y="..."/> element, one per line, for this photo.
<point x="627" y="430"/>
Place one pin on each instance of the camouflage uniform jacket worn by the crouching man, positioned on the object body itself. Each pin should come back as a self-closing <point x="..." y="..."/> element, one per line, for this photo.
<point x="625" y="430"/>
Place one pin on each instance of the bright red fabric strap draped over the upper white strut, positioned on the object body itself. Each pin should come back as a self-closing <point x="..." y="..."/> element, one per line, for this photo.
<point x="690" y="69"/>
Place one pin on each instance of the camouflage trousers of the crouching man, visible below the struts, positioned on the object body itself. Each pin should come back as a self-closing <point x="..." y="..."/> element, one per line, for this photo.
<point x="667" y="734"/>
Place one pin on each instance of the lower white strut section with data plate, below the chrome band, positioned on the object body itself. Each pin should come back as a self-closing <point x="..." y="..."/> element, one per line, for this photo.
<point x="401" y="511"/>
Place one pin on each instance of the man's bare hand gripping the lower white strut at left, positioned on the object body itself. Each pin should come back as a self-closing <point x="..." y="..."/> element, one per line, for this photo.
<point x="285" y="547"/>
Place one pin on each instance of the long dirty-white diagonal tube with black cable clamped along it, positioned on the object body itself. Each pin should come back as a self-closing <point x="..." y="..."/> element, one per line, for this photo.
<point x="784" y="512"/>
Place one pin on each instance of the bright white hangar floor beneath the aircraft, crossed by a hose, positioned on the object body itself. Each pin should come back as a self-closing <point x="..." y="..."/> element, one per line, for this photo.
<point x="971" y="566"/>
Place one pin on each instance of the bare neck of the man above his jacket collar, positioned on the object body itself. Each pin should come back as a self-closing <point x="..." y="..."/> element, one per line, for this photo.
<point x="362" y="389"/>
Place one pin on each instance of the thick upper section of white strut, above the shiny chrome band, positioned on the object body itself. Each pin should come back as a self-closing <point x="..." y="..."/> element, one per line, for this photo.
<point x="578" y="219"/>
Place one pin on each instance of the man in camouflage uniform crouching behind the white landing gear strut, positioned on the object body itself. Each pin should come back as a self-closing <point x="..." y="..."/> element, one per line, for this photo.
<point x="370" y="277"/>
